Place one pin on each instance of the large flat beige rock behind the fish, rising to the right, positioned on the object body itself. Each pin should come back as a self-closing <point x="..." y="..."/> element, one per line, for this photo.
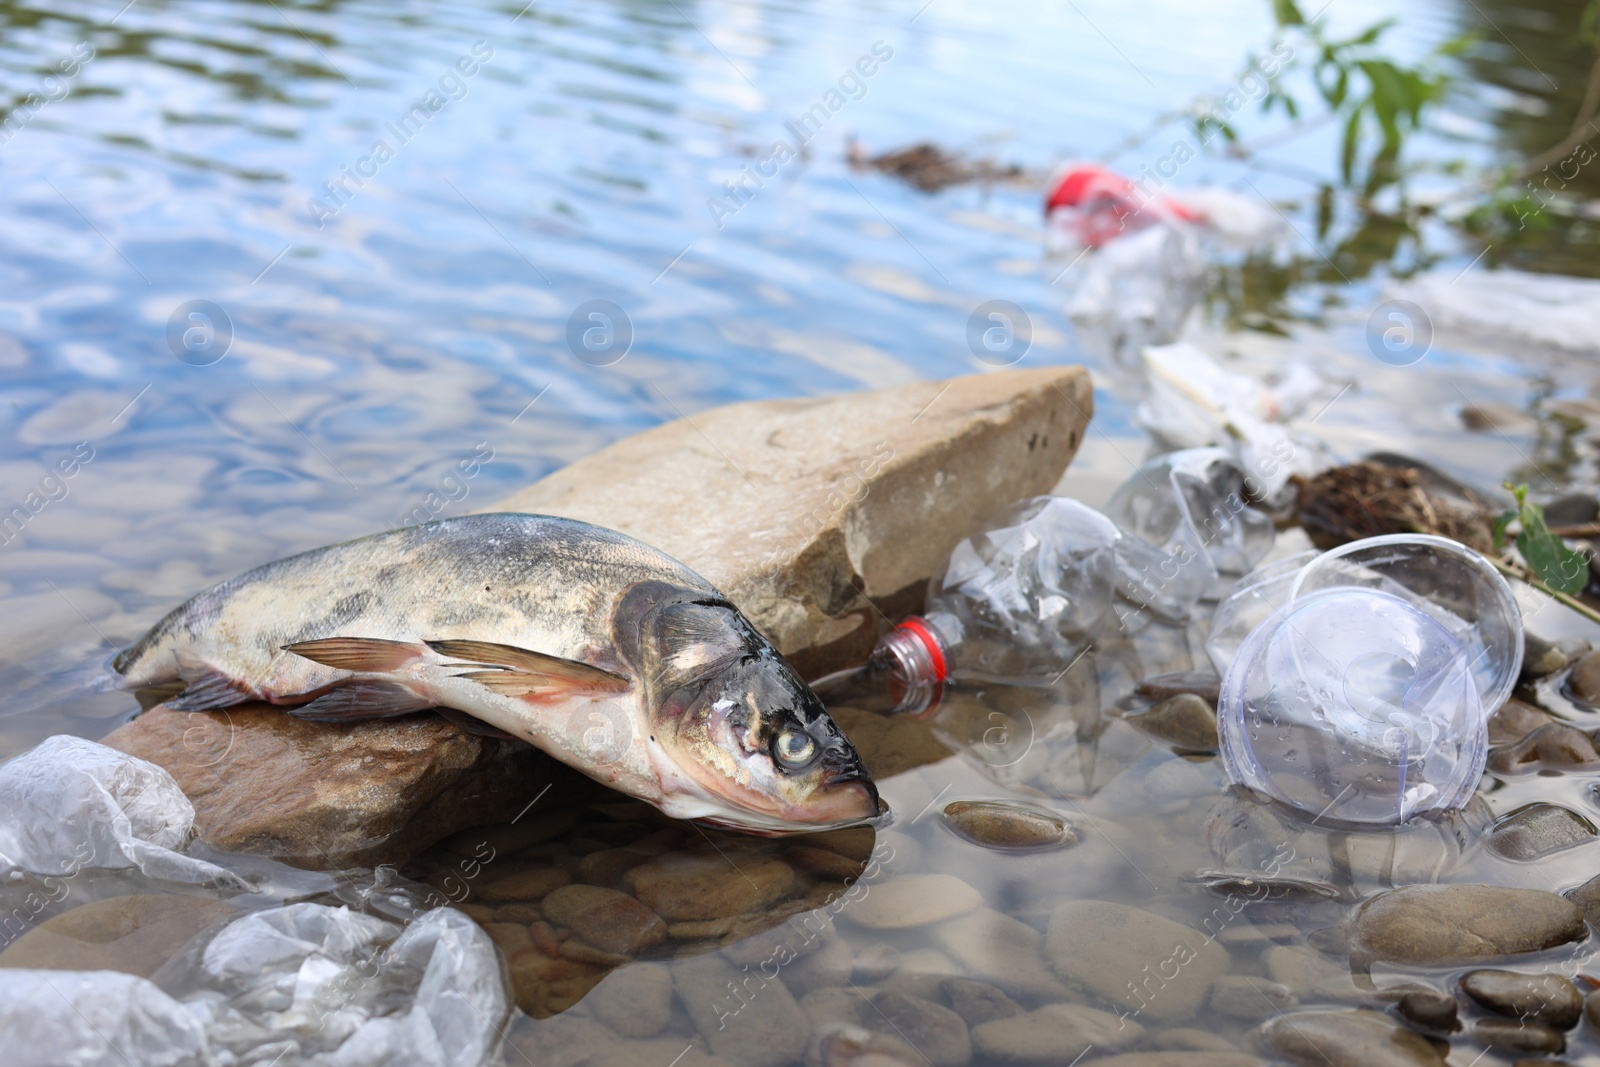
<point x="825" y="518"/>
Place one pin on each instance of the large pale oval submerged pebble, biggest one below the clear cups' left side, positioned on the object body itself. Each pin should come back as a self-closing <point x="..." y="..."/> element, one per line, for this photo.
<point x="1140" y="962"/>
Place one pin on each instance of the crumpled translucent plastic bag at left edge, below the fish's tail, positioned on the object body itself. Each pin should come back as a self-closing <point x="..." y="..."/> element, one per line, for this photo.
<point x="68" y="805"/>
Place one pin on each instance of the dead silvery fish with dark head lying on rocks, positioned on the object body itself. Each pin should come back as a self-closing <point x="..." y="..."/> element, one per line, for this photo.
<point x="609" y="655"/>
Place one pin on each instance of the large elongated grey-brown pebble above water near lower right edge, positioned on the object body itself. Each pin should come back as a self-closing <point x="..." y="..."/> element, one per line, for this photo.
<point x="1441" y="925"/>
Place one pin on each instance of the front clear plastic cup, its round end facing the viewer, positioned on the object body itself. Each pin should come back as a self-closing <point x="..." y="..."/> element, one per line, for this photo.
<point x="1358" y="706"/>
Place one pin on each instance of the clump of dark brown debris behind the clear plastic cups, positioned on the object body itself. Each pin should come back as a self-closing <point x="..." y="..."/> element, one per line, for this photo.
<point x="1367" y="500"/>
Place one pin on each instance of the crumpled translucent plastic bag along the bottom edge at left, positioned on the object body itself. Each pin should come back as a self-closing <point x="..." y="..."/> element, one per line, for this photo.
<point x="295" y="986"/>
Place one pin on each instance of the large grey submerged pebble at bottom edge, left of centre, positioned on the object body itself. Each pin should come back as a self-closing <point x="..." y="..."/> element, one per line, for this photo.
<point x="761" y="1028"/>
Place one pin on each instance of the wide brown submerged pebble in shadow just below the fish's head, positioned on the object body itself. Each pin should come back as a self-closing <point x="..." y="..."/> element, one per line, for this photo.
<point x="686" y="887"/>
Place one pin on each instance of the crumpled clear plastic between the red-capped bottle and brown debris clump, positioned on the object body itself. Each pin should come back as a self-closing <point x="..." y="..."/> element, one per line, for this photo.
<point x="1193" y="506"/>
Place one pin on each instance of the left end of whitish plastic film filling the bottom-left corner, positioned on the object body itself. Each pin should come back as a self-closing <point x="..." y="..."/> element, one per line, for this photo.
<point x="95" y="1018"/>
